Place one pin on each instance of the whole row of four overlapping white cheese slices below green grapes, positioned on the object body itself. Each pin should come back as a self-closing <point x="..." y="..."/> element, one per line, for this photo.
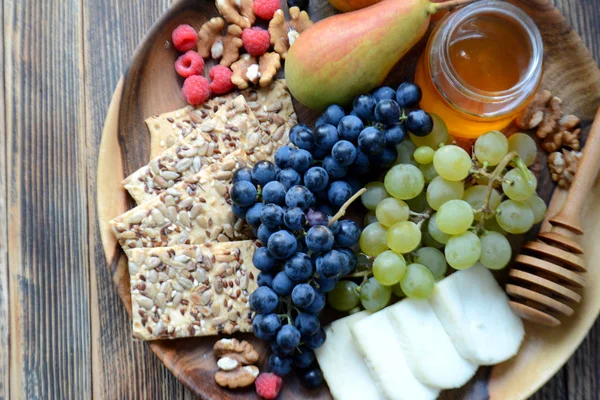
<point x="414" y="348"/>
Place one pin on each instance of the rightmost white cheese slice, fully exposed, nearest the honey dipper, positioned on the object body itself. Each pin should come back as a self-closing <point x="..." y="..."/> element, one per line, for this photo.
<point x="474" y="311"/>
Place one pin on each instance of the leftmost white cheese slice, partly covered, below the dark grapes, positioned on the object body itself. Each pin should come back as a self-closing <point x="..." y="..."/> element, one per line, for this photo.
<point x="343" y="366"/>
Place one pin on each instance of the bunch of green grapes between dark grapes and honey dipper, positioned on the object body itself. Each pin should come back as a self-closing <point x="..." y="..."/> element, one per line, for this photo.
<point x="436" y="207"/>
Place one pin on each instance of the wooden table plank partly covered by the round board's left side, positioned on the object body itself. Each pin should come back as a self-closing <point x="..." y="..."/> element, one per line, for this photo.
<point x="122" y="368"/>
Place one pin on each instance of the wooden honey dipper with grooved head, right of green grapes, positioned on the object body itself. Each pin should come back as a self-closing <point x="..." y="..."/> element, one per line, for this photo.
<point x="544" y="280"/>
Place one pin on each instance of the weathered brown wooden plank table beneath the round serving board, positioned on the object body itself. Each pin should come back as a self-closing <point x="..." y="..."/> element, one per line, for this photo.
<point x="63" y="331"/>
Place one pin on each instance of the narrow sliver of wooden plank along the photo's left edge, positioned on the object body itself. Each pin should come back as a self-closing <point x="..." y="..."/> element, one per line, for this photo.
<point x="4" y="344"/>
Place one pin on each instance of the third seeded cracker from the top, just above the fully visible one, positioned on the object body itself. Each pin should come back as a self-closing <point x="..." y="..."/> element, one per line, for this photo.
<point x="191" y="212"/>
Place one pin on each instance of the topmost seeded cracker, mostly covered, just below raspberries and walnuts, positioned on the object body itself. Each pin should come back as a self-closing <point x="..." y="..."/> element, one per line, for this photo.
<point x="271" y="105"/>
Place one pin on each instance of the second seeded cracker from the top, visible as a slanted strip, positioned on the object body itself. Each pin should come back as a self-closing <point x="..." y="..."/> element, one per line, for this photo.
<point x="212" y="140"/>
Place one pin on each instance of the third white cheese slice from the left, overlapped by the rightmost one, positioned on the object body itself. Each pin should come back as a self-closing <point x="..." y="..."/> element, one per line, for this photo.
<point x="429" y="352"/>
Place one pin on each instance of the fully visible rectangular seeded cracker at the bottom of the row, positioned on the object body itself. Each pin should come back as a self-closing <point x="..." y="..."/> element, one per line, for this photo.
<point x="185" y="291"/>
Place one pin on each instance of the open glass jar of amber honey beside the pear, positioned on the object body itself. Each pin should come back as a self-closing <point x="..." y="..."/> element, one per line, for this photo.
<point x="482" y="65"/>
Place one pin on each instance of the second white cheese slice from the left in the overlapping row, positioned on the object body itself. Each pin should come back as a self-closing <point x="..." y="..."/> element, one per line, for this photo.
<point x="376" y="340"/>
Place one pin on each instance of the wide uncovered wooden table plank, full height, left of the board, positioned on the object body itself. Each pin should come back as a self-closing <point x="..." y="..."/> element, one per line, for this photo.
<point x="47" y="225"/>
